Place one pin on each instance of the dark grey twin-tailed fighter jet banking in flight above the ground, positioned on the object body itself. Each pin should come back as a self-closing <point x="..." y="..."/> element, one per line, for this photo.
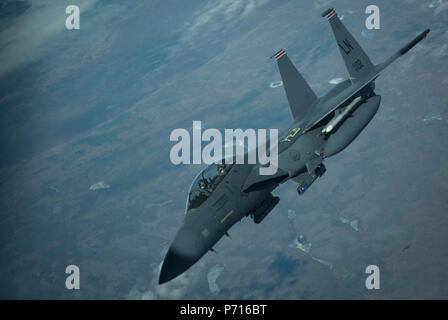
<point x="222" y="194"/>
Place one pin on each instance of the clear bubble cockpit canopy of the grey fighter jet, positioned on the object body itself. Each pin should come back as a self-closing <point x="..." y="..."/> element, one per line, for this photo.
<point x="205" y="183"/>
